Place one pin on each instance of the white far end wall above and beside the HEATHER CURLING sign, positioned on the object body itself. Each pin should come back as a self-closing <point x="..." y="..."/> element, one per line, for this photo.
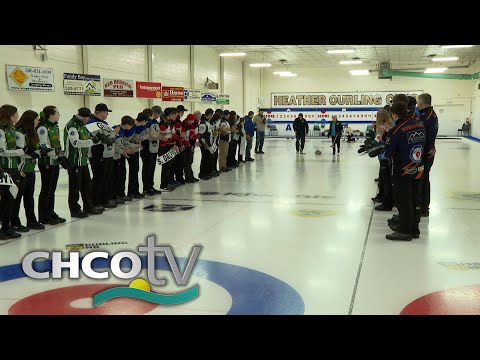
<point x="452" y="97"/>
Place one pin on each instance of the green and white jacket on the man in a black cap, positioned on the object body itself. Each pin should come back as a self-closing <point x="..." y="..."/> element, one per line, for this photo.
<point x="77" y="142"/>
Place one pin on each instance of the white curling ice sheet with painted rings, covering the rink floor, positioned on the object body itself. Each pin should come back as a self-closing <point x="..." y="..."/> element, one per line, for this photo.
<point x="285" y="234"/>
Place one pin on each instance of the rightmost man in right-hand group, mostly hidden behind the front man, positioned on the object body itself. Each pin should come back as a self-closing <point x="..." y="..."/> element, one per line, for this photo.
<point x="430" y="120"/>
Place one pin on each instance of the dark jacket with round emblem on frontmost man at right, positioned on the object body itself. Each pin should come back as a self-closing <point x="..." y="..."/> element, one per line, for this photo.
<point x="405" y="144"/>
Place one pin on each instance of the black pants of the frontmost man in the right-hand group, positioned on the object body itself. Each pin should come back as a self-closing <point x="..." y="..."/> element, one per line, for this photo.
<point x="409" y="198"/>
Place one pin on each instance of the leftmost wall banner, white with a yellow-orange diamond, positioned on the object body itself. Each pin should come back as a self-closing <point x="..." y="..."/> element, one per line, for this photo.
<point x="28" y="78"/>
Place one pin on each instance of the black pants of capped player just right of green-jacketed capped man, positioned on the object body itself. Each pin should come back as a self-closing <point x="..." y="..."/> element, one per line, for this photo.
<point x="102" y="169"/>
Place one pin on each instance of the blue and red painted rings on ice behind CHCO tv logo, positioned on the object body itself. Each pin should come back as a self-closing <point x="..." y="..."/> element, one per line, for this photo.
<point x="252" y="292"/>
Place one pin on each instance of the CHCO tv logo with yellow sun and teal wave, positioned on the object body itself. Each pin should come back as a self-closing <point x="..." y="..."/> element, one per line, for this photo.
<point x="138" y="288"/>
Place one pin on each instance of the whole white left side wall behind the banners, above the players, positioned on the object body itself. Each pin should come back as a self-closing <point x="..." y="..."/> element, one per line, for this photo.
<point x="171" y="66"/>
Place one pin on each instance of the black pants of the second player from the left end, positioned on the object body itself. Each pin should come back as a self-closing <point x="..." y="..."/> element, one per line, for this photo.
<point x="25" y="192"/>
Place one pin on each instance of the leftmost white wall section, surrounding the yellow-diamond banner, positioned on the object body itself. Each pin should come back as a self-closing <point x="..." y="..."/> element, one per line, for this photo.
<point x="62" y="58"/>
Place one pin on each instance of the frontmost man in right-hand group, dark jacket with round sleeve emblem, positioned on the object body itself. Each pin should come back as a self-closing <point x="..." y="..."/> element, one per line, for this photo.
<point x="404" y="147"/>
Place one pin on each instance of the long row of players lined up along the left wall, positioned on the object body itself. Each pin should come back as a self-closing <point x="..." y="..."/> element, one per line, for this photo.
<point x="154" y="134"/>
